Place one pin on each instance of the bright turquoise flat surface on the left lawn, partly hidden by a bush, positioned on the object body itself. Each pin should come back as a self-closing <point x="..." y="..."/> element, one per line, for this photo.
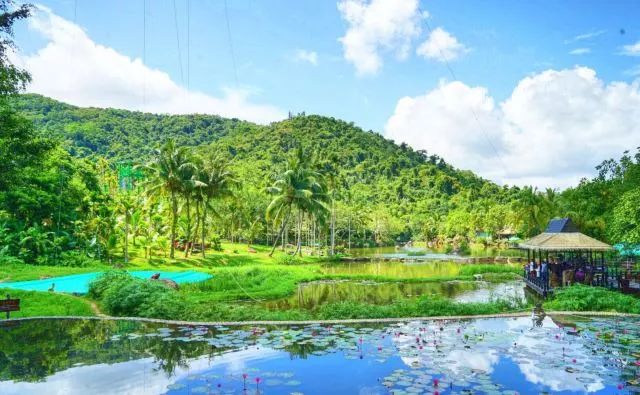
<point x="79" y="283"/>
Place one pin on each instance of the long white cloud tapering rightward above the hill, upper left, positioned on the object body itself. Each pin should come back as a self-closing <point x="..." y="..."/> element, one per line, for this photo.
<point x="74" y="69"/>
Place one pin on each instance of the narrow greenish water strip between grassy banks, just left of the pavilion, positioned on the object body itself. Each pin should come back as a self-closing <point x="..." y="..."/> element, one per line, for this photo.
<point x="314" y="294"/>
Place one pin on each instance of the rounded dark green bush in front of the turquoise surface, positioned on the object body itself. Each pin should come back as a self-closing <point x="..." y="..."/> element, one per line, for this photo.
<point x="123" y="295"/>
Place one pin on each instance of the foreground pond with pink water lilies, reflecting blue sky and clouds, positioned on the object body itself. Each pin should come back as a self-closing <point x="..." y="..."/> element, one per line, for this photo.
<point x="488" y="356"/>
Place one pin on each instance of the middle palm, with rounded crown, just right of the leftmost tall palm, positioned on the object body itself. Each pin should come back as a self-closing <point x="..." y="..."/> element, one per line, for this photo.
<point x="215" y="181"/>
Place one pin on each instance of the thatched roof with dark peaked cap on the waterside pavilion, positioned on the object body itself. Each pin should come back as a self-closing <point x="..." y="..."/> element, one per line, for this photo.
<point x="563" y="235"/>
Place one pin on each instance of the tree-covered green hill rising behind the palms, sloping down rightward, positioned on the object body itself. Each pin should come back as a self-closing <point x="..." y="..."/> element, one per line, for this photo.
<point x="391" y="190"/>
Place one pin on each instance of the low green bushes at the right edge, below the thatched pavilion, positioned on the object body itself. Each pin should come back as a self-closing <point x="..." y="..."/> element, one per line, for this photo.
<point x="584" y="298"/>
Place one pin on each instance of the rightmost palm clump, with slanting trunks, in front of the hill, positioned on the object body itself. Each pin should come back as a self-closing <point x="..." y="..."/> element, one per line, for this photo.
<point x="298" y="187"/>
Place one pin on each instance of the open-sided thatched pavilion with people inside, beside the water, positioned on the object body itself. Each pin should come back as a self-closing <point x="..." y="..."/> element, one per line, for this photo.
<point x="570" y="256"/>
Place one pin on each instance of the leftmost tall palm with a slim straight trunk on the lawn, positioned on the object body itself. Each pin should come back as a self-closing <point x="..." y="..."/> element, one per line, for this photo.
<point x="167" y="169"/>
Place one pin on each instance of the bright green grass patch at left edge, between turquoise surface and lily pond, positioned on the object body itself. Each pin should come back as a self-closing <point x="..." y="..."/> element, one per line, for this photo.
<point x="34" y="303"/>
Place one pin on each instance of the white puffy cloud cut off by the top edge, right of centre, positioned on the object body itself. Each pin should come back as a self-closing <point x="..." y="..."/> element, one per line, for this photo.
<point x="375" y="26"/>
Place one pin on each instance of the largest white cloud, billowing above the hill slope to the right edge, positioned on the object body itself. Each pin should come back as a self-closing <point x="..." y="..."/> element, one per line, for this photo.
<point x="553" y="130"/>
